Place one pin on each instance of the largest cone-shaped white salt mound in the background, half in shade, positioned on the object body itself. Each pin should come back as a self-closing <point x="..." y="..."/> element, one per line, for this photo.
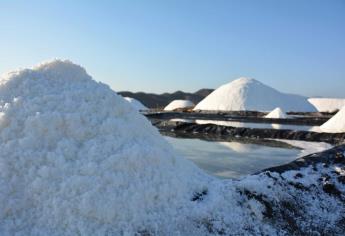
<point x="252" y="95"/>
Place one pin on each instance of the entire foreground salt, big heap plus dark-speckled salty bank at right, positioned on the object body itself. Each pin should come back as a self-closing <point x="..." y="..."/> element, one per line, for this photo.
<point x="77" y="159"/>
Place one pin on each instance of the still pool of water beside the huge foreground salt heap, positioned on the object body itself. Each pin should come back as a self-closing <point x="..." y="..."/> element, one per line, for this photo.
<point x="232" y="159"/>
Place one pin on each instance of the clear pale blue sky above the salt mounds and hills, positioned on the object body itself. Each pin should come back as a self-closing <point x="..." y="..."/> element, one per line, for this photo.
<point x="295" y="46"/>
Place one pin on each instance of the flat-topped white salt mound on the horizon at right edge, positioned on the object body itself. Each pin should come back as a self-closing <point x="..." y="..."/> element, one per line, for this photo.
<point x="327" y="104"/>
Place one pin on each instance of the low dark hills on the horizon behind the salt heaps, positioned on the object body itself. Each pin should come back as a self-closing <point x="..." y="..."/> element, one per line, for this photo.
<point x="152" y="100"/>
